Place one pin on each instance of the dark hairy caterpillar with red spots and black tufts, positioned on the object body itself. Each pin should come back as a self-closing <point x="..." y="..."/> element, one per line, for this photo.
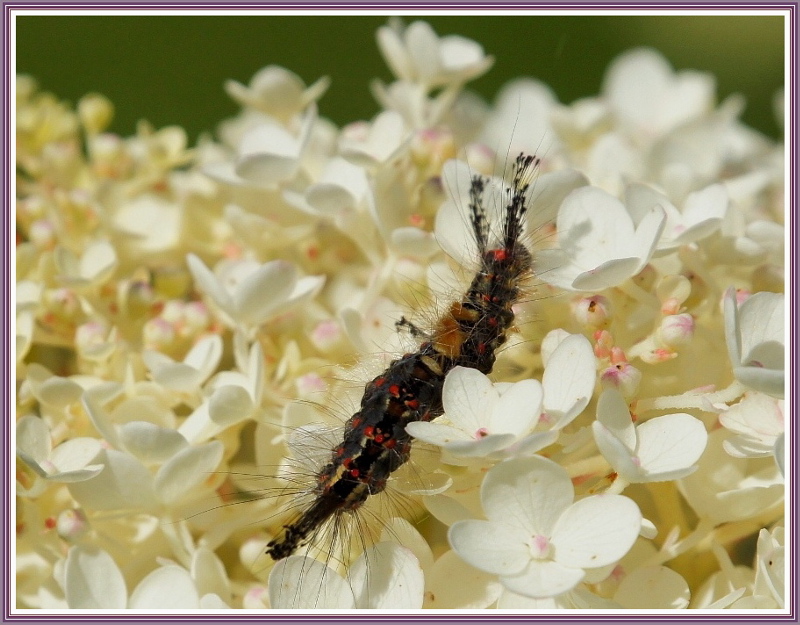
<point x="375" y="442"/>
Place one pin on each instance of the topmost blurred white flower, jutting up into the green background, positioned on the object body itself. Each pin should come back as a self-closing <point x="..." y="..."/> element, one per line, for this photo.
<point x="417" y="54"/>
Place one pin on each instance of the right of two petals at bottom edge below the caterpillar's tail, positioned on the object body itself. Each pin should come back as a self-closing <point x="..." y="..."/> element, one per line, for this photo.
<point x="387" y="576"/>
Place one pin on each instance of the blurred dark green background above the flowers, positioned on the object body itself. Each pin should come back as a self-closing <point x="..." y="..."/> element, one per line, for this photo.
<point x="170" y="69"/>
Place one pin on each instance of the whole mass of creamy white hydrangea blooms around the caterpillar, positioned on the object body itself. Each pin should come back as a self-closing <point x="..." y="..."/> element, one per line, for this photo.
<point x="181" y="309"/>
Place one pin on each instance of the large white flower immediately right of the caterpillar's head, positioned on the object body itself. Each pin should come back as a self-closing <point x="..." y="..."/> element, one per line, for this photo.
<point x="600" y="243"/>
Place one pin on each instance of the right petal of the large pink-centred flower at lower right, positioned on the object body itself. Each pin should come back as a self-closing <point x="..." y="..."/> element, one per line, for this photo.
<point x="596" y="531"/>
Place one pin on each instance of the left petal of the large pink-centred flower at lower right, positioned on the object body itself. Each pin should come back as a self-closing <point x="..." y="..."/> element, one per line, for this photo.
<point x="489" y="546"/>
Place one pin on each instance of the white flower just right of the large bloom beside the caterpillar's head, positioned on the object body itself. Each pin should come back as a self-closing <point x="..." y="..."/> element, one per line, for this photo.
<point x="701" y="214"/>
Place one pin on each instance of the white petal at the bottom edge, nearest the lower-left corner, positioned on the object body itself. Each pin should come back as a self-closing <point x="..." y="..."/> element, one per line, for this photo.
<point x="93" y="580"/>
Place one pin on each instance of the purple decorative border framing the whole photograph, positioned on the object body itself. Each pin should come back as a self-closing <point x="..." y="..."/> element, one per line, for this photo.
<point x="791" y="91"/>
